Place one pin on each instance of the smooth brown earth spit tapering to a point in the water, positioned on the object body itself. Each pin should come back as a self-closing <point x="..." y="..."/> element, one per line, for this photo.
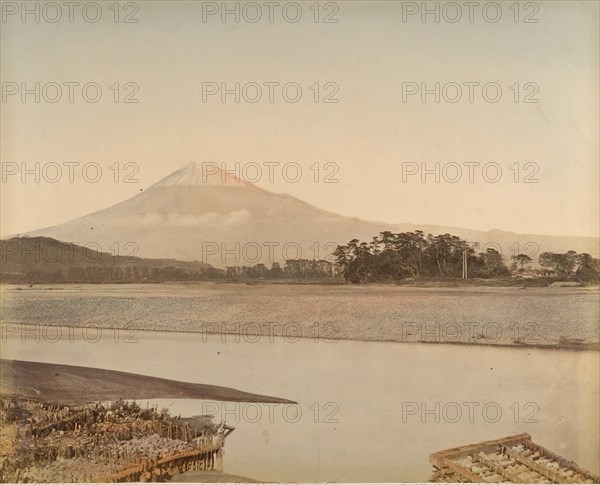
<point x="68" y="384"/>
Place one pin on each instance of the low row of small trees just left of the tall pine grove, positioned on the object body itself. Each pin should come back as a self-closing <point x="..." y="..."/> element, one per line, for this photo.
<point x="293" y="269"/>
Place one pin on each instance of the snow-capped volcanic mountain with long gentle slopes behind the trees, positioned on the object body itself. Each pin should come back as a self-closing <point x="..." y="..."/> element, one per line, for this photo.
<point x="222" y="220"/>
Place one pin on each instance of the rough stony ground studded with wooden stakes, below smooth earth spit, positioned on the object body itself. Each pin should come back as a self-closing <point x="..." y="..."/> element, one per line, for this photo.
<point x="103" y="442"/>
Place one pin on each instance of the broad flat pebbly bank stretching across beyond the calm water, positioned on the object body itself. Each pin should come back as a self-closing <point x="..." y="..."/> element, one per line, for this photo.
<point x="548" y="318"/>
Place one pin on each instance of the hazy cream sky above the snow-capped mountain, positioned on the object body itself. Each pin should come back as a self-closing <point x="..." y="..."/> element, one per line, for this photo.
<point x="371" y="133"/>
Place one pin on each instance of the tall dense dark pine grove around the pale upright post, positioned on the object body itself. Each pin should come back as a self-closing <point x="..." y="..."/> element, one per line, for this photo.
<point x="391" y="256"/>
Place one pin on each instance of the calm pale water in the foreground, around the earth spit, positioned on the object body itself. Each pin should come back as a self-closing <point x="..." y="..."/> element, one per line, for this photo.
<point x="360" y="402"/>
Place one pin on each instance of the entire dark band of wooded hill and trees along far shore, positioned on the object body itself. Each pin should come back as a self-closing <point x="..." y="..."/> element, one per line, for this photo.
<point x="389" y="256"/>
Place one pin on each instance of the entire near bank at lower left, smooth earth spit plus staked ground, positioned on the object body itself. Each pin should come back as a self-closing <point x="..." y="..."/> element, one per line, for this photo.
<point x="65" y="423"/>
